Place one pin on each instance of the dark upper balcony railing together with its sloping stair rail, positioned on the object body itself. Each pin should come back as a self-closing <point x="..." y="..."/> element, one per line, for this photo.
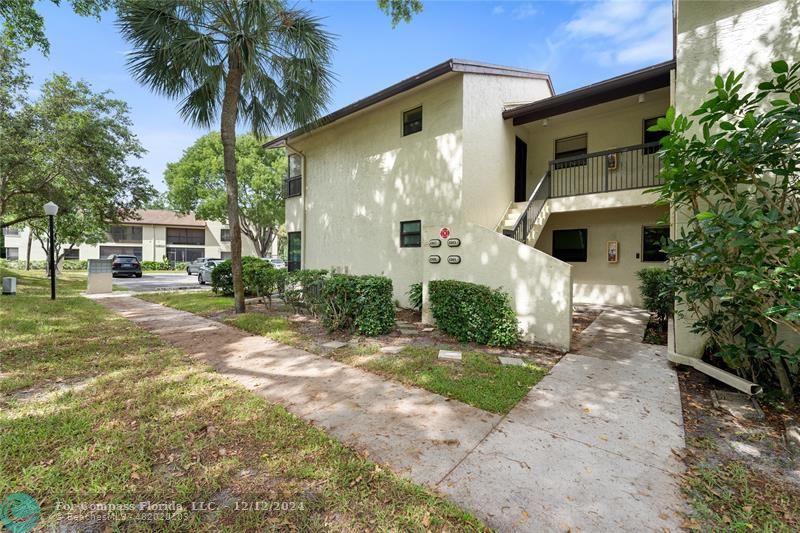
<point x="632" y="167"/>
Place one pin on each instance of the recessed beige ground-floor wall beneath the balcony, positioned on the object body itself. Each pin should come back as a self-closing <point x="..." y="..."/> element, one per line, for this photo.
<point x="597" y="280"/>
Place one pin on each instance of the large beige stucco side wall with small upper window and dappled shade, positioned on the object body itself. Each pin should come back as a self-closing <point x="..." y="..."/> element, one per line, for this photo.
<point x="362" y="178"/>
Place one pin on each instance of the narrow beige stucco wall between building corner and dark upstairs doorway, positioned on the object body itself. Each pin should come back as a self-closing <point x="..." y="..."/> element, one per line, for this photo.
<point x="489" y="146"/>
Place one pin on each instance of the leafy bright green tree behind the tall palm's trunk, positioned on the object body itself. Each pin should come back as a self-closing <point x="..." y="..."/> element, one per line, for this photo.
<point x="197" y="183"/>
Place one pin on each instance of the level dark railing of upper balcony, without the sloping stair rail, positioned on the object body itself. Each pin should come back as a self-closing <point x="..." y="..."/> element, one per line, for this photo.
<point x="632" y="167"/>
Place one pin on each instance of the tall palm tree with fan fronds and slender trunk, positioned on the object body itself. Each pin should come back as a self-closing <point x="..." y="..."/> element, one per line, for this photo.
<point x="255" y="62"/>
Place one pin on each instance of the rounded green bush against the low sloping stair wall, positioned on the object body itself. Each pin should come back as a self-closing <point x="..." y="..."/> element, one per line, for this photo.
<point x="474" y="313"/>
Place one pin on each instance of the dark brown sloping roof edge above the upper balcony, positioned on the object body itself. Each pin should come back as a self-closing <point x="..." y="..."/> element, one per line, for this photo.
<point x="638" y="81"/>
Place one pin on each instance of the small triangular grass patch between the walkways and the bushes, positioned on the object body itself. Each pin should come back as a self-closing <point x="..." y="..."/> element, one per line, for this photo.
<point x="479" y="380"/>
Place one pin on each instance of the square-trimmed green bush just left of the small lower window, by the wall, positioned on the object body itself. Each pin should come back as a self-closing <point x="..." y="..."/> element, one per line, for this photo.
<point x="360" y="303"/>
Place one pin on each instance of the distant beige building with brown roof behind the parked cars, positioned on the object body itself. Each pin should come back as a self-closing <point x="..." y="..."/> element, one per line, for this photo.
<point x="155" y="235"/>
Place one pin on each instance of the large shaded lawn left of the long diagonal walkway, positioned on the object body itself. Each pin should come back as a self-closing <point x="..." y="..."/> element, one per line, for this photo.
<point x="94" y="409"/>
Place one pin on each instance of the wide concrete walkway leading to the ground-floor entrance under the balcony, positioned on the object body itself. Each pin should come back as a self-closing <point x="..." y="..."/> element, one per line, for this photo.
<point x="590" y="447"/>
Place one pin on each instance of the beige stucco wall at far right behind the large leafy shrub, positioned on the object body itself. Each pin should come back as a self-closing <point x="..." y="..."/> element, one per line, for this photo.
<point x="715" y="38"/>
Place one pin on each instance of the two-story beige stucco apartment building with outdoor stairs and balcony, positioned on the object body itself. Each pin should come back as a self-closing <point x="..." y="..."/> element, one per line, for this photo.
<point x="546" y="193"/>
